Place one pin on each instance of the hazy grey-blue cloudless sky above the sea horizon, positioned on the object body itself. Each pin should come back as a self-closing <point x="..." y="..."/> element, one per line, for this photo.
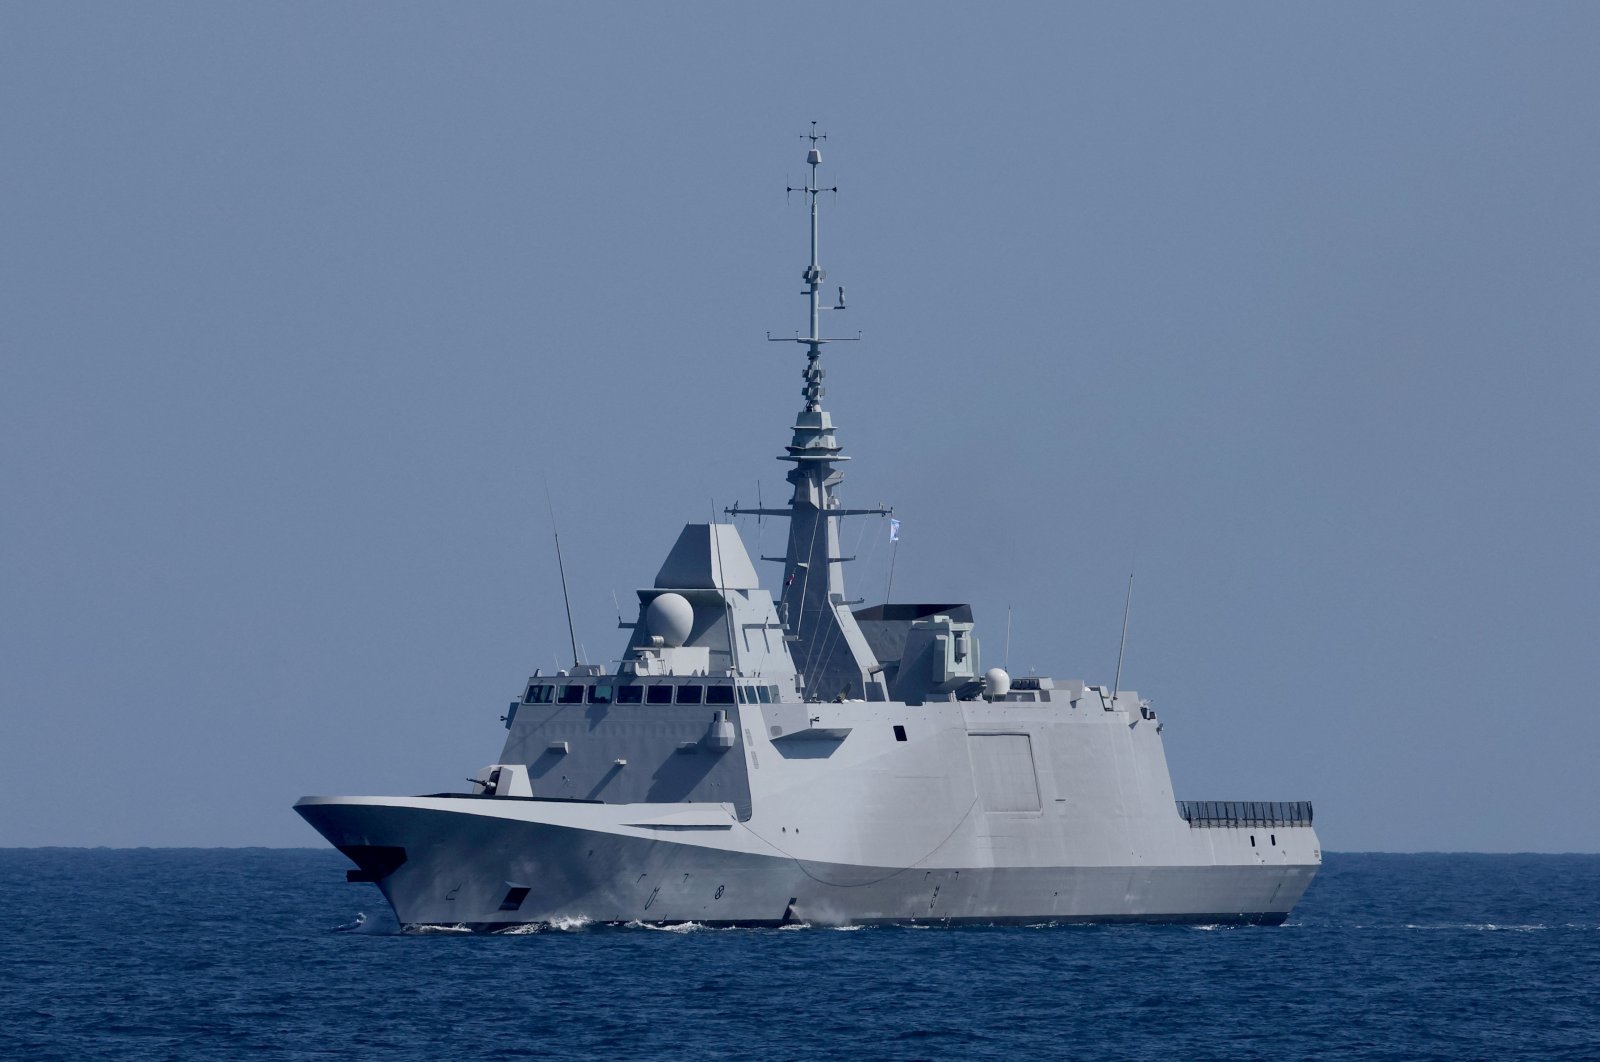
<point x="1290" y="306"/>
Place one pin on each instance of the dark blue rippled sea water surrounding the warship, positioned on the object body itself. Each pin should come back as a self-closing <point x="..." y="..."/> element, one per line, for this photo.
<point x="244" y="954"/>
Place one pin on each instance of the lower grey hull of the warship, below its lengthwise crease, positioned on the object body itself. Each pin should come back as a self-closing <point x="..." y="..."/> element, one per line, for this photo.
<point x="495" y="864"/>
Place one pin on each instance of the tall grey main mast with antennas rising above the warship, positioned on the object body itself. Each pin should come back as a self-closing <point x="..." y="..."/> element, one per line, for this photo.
<point x="828" y="647"/>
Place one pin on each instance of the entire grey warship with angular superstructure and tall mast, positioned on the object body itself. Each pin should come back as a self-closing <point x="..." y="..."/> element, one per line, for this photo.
<point x="767" y="761"/>
